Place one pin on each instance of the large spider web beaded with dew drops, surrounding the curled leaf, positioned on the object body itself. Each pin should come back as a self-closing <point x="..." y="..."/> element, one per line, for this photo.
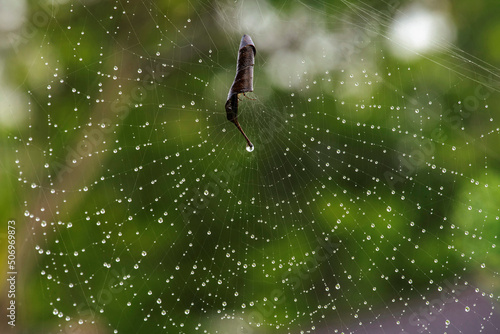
<point x="369" y="202"/>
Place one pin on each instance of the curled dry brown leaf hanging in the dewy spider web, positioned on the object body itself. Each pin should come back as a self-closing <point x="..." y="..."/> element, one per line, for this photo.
<point x="243" y="81"/>
